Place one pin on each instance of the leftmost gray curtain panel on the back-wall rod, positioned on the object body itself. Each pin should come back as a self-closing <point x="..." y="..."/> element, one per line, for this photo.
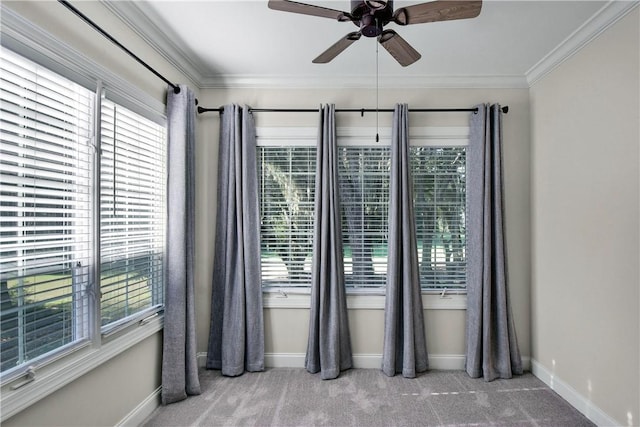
<point x="236" y="341"/>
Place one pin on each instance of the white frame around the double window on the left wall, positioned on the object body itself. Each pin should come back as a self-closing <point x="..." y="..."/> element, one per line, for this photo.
<point x="26" y="386"/>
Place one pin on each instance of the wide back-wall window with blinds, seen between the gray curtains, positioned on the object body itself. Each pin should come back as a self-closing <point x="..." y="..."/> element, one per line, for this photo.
<point x="287" y="183"/>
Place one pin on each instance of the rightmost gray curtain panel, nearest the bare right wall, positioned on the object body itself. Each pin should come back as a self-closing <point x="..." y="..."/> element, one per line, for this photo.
<point x="492" y="347"/>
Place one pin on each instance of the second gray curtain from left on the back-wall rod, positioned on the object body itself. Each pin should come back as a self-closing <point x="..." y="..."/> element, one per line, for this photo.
<point x="329" y="343"/>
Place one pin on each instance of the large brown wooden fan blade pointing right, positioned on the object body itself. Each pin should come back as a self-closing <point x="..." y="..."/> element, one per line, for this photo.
<point x="442" y="10"/>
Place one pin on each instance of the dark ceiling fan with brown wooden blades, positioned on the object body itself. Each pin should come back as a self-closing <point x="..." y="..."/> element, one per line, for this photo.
<point x="372" y="15"/>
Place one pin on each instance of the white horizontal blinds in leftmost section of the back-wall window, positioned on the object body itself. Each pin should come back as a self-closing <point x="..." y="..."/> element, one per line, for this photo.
<point x="287" y="185"/>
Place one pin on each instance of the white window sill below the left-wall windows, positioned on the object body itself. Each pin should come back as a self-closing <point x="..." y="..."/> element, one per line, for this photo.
<point x="57" y="375"/>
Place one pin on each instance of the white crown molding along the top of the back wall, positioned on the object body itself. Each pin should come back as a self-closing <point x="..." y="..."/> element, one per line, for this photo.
<point x="351" y="81"/>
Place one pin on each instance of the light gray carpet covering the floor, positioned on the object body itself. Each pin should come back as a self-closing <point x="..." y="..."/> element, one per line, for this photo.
<point x="366" y="397"/>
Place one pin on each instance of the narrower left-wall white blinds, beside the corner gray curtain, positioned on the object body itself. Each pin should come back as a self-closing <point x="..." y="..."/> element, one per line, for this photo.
<point x="132" y="213"/>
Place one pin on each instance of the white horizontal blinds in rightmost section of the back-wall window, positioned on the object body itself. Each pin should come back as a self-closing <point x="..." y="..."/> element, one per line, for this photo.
<point x="440" y="203"/>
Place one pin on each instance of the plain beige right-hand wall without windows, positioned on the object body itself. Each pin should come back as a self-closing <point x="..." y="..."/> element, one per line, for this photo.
<point x="585" y="180"/>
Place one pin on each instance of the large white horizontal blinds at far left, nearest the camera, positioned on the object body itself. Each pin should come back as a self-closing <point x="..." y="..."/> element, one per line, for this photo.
<point x="45" y="199"/>
